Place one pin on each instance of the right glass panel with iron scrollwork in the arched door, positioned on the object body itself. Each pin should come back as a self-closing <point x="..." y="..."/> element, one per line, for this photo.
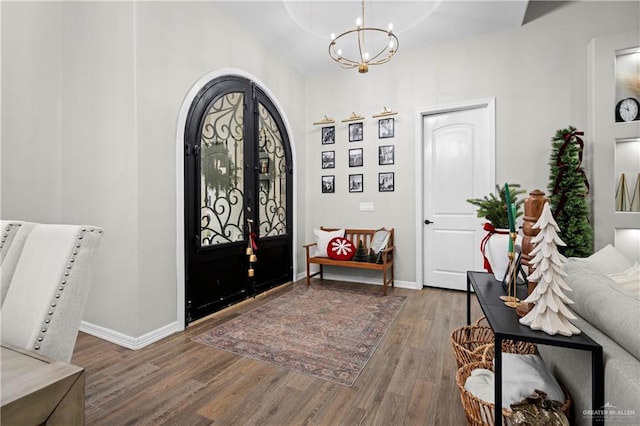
<point x="272" y="200"/>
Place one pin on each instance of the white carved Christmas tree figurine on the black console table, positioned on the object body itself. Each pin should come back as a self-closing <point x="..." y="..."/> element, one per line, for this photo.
<point x="549" y="313"/>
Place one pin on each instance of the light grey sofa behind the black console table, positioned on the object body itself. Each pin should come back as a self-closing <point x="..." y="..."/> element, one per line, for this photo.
<point x="610" y="315"/>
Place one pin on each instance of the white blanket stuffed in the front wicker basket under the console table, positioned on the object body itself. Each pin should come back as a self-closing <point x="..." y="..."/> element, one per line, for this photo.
<point x="521" y="376"/>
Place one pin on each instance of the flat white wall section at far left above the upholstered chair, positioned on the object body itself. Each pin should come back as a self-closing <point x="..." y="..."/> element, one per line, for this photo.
<point x="31" y="111"/>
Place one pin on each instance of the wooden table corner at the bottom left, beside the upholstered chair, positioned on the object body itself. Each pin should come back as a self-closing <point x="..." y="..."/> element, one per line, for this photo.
<point x="39" y="390"/>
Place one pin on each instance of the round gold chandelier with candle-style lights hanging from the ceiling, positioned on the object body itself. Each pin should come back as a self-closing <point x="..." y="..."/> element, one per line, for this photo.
<point x="364" y="57"/>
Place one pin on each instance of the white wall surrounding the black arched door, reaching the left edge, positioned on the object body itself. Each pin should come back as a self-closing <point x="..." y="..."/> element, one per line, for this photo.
<point x="98" y="143"/>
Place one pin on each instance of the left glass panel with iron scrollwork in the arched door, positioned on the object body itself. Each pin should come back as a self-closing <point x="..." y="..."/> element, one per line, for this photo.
<point x="221" y="172"/>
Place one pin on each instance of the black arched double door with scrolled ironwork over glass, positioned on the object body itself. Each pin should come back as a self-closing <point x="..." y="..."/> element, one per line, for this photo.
<point x="238" y="194"/>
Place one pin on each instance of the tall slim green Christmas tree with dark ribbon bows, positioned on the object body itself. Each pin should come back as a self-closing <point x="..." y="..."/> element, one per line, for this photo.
<point x="569" y="189"/>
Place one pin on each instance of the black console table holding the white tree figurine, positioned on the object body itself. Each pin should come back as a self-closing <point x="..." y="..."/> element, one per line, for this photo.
<point x="503" y="320"/>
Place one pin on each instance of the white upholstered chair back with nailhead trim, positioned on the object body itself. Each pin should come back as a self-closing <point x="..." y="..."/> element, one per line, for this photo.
<point x="46" y="276"/>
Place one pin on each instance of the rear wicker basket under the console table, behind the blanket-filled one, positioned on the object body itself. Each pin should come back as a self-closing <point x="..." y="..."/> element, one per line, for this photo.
<point x="470" y="342"/>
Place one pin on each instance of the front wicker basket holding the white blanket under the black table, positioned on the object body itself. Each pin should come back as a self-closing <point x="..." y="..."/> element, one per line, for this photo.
<point x="481" y="413"/>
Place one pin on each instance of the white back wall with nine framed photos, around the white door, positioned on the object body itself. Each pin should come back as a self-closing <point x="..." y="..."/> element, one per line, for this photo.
<point x="537" y="73"/>
